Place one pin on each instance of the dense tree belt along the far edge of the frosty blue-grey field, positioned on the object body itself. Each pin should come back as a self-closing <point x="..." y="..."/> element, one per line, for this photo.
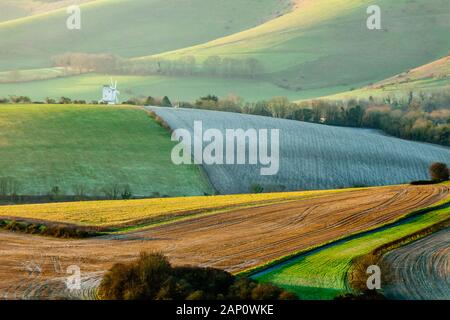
<point x="425" y="117"/>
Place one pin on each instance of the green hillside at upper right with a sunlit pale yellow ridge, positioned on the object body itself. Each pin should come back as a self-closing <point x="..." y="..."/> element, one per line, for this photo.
<point x="326" y="43"/>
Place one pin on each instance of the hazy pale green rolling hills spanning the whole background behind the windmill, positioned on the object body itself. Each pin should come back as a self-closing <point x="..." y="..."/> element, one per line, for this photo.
<point x="317" y="48"/>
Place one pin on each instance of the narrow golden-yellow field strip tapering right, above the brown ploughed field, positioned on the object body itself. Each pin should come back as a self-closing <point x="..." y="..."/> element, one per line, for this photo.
<point x="120" y="212"/>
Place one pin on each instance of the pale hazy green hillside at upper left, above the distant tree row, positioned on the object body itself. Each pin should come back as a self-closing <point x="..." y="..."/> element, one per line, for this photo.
<point x="128" y="27"/>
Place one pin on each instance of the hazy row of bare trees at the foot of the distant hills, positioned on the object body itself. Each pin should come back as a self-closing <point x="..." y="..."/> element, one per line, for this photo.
<point x="215" y="66"/>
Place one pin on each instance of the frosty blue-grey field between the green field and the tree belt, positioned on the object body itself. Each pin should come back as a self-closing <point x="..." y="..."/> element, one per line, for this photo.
<point x="314" y="156"/>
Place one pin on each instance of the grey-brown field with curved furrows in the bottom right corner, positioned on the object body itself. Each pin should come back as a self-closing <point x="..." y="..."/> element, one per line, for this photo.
<point x="420" y="270"/>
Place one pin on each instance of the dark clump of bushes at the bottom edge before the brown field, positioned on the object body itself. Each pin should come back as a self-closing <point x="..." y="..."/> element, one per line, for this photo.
<point x="152" y="277"/>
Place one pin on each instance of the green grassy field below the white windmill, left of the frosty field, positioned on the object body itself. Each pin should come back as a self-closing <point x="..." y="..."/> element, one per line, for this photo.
<point x="44" y="146"/>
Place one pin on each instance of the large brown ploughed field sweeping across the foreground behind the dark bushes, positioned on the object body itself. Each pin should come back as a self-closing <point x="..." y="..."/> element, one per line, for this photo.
<point x="233" y="240"/>
